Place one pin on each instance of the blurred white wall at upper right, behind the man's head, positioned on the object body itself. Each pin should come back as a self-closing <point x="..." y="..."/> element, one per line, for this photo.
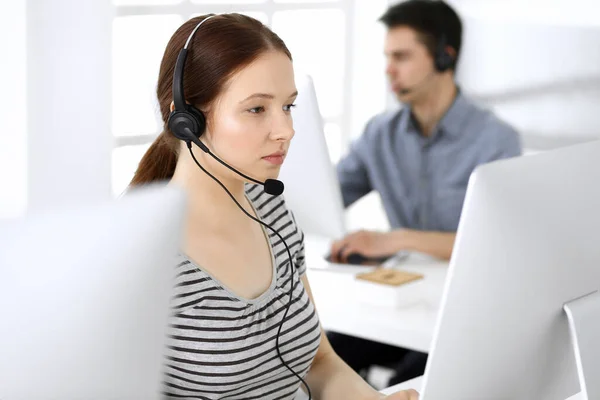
<point x="537" y="64"/>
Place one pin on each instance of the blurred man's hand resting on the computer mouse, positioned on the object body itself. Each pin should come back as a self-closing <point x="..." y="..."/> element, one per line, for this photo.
<point x="366" y="243"/>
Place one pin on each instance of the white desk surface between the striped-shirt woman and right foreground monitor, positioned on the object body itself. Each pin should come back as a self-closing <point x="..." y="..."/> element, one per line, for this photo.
<point x="405" y="316"/>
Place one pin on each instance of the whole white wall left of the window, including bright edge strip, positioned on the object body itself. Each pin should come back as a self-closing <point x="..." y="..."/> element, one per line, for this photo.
<point x="55" y="137"/>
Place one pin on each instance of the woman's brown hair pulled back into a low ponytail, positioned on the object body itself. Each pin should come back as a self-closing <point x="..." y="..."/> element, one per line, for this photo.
<point x="221" y="47"/>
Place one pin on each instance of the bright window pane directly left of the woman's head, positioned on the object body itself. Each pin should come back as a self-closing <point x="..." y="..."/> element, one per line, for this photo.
<point x="138" y="46"/>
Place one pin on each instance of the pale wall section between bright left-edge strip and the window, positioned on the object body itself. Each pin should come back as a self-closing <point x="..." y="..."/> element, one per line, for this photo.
<point x="68" y="101"/>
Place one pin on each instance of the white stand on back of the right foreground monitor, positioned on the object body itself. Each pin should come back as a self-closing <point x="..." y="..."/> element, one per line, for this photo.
<point x="584" y="322"/>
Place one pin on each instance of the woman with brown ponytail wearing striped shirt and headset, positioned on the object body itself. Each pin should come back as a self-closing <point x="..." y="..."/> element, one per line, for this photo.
<point x="226" y="338"/>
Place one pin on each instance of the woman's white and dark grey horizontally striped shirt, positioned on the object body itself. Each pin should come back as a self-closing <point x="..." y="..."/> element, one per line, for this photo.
<point x="222" y="346"/>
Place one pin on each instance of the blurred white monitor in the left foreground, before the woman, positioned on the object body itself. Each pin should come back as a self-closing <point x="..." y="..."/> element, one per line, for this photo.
<point x="84" y="298"/>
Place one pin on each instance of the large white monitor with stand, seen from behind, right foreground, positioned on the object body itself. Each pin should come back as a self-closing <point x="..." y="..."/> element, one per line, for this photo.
<point x="528" y="243"/>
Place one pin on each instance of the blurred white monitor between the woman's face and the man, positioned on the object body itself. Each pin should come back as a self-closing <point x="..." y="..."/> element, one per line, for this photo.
<point x="312" y="189"/>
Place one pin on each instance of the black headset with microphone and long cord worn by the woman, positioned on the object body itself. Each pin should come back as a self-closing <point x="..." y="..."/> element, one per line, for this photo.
<point x="188" y="123"/>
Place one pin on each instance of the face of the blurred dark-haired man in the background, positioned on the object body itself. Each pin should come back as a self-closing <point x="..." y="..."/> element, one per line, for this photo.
<point x="409" y="63"/>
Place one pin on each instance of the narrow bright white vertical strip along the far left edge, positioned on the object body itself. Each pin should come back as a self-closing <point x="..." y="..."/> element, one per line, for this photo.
<point x="13" y="141"/>
